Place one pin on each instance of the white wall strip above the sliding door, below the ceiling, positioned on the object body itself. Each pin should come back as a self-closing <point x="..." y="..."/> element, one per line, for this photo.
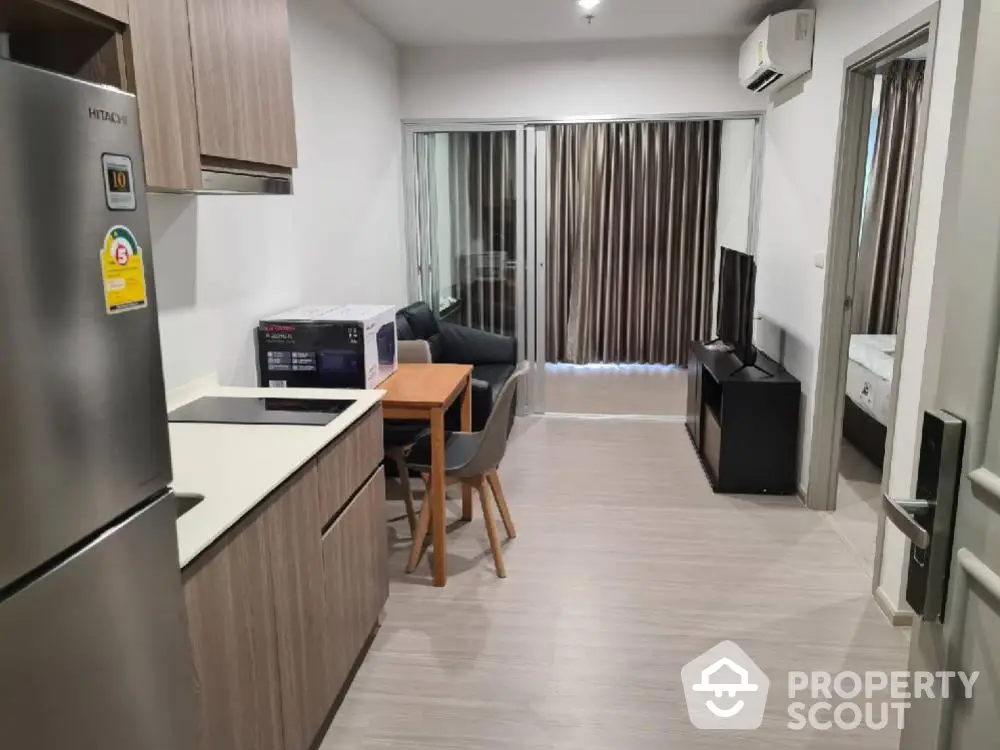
<point x="551" y="81"/>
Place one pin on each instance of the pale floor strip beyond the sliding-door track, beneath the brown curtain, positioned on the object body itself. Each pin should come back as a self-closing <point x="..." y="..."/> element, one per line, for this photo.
<point x="647" y="390"/>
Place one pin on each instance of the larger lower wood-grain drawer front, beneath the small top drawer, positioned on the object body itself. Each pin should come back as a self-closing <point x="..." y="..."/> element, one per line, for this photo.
<point x="356" y="571"/>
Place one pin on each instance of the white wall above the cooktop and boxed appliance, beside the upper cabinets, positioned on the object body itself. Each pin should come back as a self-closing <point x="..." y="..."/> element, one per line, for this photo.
<point x="222" y="262"/>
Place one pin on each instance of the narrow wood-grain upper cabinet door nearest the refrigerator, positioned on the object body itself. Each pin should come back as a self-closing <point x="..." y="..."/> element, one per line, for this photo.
<point x="161" y="76"/>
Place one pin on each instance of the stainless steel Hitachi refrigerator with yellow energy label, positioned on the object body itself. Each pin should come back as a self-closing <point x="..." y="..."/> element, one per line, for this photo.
<point x="94" y="651"/>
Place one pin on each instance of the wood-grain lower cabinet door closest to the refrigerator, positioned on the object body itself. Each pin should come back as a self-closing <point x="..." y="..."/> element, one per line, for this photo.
<point x="230" y="609"/>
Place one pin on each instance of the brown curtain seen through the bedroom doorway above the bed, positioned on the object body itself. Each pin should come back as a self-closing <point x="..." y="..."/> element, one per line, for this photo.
<point x="889" y="197"/>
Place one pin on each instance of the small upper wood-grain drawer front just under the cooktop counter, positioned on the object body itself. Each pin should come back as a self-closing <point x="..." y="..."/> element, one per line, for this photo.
<point x="345" y="465"/>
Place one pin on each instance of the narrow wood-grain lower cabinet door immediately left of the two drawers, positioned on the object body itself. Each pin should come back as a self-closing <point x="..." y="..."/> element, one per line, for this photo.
<point x="296" y="557"/>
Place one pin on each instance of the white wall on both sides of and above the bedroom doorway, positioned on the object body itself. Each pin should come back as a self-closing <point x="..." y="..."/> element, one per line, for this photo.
<point x="801" y="134"/>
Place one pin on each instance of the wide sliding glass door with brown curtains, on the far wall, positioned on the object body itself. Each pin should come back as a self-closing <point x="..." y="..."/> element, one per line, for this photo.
<point x="593" y="243"/>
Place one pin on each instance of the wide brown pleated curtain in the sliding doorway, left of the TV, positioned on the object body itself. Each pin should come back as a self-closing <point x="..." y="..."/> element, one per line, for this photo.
<point x="632" y="218"/>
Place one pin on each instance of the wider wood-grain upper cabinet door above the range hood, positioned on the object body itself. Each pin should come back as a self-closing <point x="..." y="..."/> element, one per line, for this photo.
<point x="243" y="80"/>
